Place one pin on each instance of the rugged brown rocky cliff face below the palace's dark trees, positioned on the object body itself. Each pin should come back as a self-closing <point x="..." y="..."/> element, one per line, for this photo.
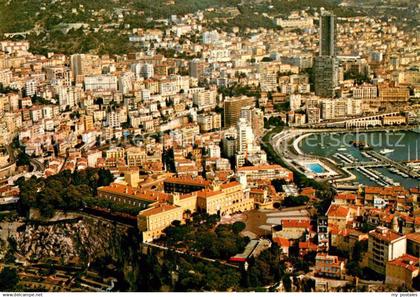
<point x="84" y="240"/>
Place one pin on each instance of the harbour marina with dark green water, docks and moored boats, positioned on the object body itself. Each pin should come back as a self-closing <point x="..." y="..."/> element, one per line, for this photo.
<point x="376" y="158"/>
